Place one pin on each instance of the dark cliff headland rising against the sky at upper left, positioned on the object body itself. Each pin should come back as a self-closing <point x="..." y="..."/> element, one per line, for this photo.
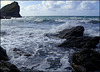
<point x="10" y="10"/>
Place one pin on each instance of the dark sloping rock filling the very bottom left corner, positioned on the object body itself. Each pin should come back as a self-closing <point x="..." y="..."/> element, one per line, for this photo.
<point x="7" y="67"/>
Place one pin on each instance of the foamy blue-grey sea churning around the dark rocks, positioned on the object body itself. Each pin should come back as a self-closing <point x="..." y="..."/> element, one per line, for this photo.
<point x="30" y="45"/>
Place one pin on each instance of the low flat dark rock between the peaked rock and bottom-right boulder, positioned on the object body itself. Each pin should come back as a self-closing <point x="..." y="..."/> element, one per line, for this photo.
<point x="81" y="42"/>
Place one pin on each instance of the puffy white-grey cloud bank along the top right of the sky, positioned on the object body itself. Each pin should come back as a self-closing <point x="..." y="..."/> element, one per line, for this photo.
<point x="69" y="5"/>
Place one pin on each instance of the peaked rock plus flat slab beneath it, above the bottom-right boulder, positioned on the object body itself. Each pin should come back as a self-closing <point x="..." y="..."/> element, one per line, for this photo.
<point x="74" y="38"/>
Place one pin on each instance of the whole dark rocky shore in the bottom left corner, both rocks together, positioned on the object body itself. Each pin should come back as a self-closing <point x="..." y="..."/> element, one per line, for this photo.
<point x="6" y="66"/>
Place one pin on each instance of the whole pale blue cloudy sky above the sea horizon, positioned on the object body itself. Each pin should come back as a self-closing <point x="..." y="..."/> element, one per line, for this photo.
<point x="57" y="8"/>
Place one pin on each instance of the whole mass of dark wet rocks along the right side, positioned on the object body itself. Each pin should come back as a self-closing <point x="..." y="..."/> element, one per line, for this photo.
<point x="86" y="59"/>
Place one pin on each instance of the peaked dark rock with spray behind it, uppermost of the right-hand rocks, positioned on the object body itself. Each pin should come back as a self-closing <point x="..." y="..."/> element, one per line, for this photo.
<point x="75" y="31"/>
